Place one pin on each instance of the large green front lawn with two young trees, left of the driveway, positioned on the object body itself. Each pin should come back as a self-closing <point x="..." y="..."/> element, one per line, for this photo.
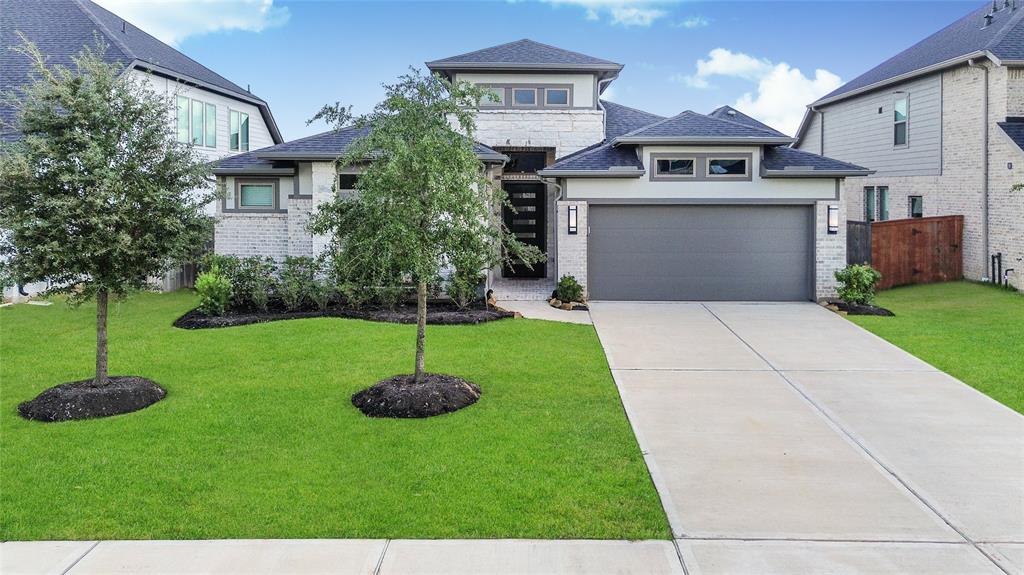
<point x="258" y="438"/>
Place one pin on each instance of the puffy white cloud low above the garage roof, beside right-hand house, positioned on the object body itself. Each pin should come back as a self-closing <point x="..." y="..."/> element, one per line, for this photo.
<point x="783" y="92"/>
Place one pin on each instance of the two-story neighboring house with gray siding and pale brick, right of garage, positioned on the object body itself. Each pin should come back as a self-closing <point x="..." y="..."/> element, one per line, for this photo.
<point x="943" y="126"/>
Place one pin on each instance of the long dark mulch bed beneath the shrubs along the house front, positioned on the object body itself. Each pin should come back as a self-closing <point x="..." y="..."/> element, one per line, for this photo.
<point x="441" y="314"/>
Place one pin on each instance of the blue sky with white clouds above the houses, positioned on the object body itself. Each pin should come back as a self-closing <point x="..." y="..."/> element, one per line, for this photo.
<point x="769" y="59"/>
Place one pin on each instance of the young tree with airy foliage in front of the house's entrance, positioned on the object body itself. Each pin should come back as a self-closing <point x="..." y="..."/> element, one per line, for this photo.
<point x="424" y="201"/>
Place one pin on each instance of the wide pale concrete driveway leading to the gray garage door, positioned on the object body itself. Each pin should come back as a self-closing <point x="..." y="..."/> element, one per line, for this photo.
<point x="785" y="439"/>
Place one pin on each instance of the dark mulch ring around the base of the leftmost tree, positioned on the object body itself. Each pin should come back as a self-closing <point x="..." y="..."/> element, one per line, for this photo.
<point x="81" y="401"/>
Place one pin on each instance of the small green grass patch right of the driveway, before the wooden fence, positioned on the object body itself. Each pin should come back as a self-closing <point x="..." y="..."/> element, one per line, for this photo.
<point x="970" y="331"/>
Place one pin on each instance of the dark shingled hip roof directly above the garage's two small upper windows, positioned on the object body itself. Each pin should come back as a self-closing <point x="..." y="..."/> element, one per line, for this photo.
<point x="691" y="127"/>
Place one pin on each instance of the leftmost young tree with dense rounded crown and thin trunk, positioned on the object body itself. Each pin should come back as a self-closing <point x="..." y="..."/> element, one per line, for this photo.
<point x="97" y="196"/>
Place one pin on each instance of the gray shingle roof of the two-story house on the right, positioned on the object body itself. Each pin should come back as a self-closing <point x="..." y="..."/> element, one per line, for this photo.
<point x="1004" y="38"/>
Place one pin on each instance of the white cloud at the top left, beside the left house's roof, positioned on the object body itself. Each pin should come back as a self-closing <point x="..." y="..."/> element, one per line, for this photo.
<point x="174" y="21"/>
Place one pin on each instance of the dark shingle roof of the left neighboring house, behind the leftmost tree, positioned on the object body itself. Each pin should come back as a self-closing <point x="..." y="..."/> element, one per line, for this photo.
<point x="62" y="28"/>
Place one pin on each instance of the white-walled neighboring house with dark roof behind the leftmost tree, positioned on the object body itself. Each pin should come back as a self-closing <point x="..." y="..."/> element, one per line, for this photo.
<point x="219" y="117"/>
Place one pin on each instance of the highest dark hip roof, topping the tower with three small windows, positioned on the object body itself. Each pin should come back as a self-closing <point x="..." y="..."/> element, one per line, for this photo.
<point x="525" y="55"/>
